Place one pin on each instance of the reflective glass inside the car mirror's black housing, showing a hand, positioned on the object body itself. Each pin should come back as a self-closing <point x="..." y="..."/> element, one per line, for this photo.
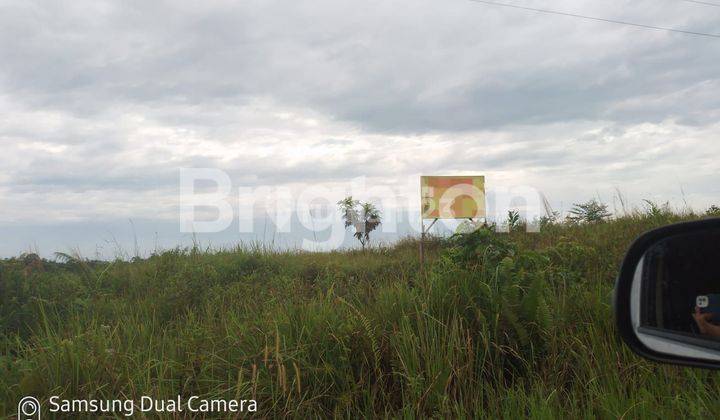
<point x="676" y="296"/>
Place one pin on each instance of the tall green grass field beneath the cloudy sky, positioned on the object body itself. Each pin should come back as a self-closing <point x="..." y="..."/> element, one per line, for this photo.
<point x="500" y="326"/>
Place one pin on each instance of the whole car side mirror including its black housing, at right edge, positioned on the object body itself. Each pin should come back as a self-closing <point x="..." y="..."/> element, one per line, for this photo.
<point x="667" y="296"/>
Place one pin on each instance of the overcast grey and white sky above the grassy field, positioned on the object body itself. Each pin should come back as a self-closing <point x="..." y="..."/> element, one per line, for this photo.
<point x="103" y="103"/>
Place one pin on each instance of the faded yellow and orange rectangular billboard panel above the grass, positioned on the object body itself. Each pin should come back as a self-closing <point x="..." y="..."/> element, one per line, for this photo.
<point x="452" y="197"/>
